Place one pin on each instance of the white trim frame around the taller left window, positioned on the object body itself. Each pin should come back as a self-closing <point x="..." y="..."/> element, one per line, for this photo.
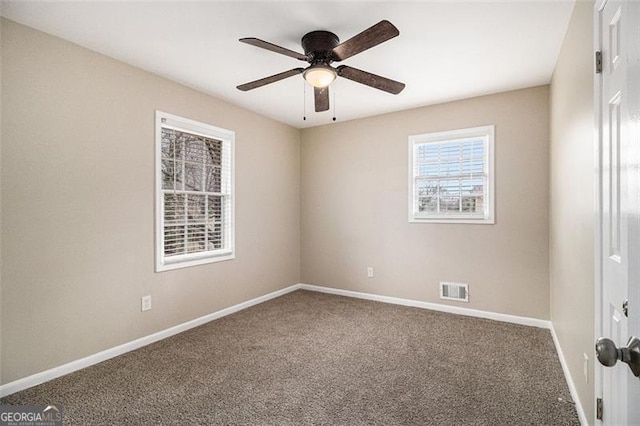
<point x="184" y="261"/>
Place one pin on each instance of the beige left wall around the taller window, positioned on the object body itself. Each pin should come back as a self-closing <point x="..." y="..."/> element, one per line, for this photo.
<point x="78" y="205"/>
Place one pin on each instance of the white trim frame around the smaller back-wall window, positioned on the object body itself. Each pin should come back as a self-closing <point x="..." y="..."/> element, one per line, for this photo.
<point x="489" y="216"/>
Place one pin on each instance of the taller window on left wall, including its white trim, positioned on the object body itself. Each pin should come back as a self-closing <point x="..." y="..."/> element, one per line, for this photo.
<point x="194" y="193"/>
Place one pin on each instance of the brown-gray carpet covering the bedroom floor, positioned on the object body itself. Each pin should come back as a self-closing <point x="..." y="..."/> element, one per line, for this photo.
<point x="311" y="358"/>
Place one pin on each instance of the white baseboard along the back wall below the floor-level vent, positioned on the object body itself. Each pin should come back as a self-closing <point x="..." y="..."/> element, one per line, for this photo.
<point x="533" y="322"/>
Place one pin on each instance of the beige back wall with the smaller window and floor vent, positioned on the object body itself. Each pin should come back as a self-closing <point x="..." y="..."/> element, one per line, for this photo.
<point x="354" y="208"/>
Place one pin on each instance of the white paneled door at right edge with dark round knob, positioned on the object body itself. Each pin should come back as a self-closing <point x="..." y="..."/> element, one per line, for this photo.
<point x="618" y="97"/>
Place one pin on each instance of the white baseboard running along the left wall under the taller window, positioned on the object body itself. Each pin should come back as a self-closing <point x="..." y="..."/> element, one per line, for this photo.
<point x="45" y="376"/>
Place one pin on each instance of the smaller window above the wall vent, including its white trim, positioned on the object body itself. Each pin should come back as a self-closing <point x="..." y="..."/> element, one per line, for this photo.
<point x="451" y="176"/>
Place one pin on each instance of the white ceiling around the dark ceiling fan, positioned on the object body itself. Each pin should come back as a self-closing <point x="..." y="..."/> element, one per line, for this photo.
<point x="446" y="50"/>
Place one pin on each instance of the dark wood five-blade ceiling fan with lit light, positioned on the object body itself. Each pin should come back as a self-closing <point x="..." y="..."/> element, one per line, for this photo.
<point x="321" y="48"/>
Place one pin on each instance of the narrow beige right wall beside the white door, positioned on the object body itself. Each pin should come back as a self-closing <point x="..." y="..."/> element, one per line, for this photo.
<point x="571" y="217"/>
